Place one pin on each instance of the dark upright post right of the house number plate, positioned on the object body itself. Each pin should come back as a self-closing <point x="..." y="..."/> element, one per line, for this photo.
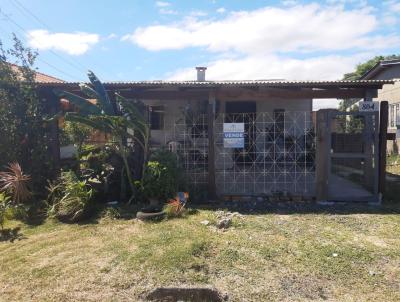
<point x="383" y="118"/>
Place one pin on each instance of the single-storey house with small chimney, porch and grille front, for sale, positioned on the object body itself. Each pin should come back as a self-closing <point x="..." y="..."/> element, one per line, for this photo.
<point x="255" y="137"/>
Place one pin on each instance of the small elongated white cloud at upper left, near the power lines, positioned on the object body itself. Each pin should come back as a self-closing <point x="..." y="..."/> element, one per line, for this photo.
<point x="71" y="43"/>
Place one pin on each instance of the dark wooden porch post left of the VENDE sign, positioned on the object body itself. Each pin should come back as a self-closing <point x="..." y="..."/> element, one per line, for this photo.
<point x="212" y="194"/>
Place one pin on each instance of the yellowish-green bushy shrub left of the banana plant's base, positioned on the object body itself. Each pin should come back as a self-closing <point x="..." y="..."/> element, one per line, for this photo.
<point x="70" y="198"/>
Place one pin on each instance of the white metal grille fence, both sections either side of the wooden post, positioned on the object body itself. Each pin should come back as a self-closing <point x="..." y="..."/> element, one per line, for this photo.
<point x="278" y="156"/>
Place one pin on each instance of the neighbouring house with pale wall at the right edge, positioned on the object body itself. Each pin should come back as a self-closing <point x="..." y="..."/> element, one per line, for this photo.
<point x="388" y="70"/>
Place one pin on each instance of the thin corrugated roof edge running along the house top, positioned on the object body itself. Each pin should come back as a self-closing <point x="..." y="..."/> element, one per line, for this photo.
<point x="241" y="83"/>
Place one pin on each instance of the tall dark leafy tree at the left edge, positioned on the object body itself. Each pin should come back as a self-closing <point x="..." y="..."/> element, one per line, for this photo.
<point x="24" y="134"/>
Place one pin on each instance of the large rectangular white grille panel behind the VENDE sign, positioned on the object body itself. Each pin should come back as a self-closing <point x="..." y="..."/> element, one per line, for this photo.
<point x="277" y="157"/>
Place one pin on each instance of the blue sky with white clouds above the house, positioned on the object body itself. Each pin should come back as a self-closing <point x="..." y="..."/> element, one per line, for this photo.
<point x="236" y="39"/>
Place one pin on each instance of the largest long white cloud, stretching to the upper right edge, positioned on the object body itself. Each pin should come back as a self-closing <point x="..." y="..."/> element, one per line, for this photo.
<point x="303" y="28"/>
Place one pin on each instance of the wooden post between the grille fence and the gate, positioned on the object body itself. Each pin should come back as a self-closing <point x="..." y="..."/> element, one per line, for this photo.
<point x="322" y="156"/>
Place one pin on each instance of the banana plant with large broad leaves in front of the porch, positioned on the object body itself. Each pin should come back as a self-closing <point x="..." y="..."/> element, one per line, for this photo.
<point x="102" y="116"/>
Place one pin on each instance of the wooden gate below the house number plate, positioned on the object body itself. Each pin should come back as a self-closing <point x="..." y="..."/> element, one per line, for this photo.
<point x="350" y="150"/>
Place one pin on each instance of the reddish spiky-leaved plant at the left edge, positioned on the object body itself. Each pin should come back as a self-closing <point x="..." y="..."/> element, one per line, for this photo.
<point x="15" y="182"/>
